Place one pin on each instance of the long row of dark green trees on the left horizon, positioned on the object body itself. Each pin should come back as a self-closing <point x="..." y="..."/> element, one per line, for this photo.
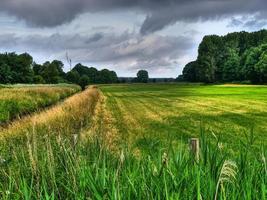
<point x="16" y="68"/>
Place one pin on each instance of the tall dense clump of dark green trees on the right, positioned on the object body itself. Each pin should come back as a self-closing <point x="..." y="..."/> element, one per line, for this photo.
<point x="239" y="56"/>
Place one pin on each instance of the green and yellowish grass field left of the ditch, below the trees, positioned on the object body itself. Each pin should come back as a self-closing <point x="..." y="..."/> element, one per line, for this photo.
<point x="16" y="100"/>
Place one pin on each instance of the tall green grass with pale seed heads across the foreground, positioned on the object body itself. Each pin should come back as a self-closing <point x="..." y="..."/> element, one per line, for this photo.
<point x="56" y="169"/>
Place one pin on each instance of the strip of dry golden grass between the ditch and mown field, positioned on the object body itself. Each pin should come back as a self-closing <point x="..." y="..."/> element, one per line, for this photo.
<point x="59" y="118"/>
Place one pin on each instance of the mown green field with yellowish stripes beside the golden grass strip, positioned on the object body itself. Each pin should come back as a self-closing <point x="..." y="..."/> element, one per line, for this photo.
<point x="174" y="112"/>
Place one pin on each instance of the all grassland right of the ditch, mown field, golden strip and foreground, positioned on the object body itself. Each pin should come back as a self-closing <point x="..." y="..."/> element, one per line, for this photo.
<point x="131" y="142"/>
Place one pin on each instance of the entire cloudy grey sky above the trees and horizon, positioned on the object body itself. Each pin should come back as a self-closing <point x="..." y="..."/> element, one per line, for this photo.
<point x="160" y="36"/>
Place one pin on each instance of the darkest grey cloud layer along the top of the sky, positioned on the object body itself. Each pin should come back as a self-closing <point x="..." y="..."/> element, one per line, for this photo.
<point x="160" y="13"/>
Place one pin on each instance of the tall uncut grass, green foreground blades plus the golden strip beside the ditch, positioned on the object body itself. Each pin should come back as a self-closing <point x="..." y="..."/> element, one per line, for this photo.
<point x="44" y="159"/>
